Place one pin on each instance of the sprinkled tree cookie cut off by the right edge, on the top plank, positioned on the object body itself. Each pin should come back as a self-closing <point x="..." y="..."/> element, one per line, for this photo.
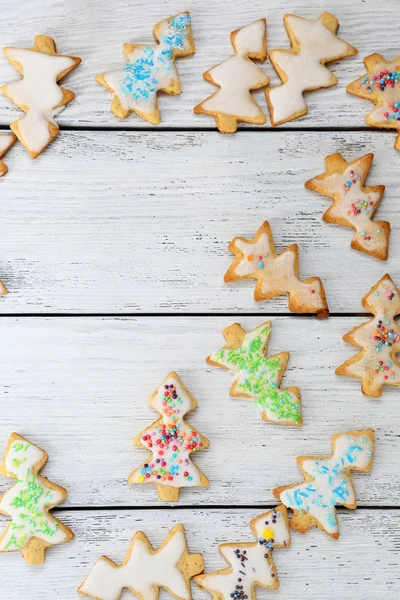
<point x="381" y="85"/>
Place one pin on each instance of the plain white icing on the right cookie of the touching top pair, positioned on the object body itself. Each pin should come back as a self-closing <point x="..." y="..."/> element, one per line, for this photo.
<point x="304" y="70"/>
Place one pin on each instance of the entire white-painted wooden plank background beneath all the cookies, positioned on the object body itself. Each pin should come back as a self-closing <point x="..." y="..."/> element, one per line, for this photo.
<point x="120" y="222"/>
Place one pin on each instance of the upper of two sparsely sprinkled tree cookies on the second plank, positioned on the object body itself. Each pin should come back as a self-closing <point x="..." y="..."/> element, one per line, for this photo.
<point x="354" y="205"/>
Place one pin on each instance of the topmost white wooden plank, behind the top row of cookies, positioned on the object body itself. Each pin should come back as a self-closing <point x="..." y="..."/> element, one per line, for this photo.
<point x="99" y="32"/>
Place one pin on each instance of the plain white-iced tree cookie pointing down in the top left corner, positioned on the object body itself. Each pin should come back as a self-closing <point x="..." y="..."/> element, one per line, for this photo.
<point x="38" y="93"/>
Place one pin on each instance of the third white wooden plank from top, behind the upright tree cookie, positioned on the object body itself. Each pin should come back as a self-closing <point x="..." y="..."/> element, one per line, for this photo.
<point x="79" y="388"/>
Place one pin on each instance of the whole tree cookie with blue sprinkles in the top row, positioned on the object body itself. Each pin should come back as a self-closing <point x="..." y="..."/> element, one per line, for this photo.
<point x="150" y="69"/>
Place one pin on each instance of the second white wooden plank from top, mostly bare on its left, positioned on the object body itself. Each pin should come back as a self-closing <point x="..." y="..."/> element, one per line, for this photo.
<point x="140" y="222"/>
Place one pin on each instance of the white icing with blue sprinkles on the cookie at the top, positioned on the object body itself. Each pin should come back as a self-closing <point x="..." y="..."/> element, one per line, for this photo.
<point x="151" y="68"/>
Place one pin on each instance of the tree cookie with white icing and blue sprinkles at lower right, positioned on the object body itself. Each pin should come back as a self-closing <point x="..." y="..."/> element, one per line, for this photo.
<point x="328" y="482"/>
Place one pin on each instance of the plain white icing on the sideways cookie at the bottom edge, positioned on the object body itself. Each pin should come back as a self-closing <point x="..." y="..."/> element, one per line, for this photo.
<point x="143" y="572"/>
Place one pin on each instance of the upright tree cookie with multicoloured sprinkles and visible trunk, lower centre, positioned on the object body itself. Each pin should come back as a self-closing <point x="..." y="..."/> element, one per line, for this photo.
<point x="171" y="441"/>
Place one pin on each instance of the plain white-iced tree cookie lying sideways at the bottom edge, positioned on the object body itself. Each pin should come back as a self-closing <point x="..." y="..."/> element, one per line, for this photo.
<point x="144" y="570"/>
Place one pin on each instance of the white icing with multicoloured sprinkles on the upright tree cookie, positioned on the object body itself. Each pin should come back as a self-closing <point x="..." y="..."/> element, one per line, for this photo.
<point x="174" y="466"/>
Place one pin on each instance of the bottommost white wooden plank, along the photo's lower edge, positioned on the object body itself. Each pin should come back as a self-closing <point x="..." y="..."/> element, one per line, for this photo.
<point x="366" y="556"/>
